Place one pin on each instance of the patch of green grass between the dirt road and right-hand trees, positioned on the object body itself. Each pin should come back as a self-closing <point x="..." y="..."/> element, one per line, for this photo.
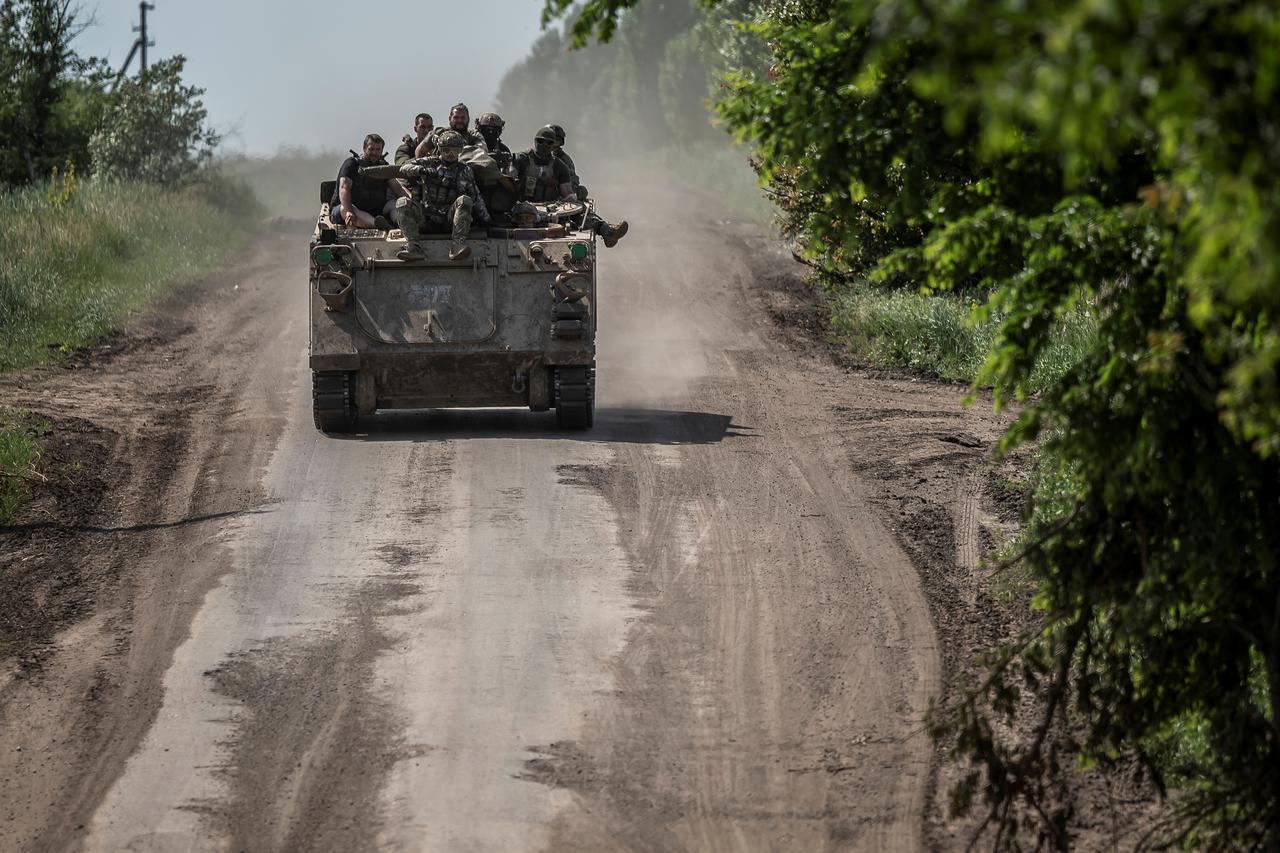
<point x="935" y="335"/>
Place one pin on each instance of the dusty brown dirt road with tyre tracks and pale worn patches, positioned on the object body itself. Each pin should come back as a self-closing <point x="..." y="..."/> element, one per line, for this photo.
<point x="702" y="626"/>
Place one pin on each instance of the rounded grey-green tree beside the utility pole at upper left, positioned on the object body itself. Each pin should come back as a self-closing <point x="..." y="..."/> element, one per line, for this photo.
<point x="156" y="130"/>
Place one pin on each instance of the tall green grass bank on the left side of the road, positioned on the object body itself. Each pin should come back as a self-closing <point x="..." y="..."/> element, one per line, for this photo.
<point x="72" y="272"/>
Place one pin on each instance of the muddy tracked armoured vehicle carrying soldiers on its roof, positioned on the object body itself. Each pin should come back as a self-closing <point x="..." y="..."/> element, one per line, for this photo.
<point x="514" y="325"/>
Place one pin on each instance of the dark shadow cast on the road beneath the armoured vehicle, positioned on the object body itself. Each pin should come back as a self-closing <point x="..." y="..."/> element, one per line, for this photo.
<point x="612" y="426"/>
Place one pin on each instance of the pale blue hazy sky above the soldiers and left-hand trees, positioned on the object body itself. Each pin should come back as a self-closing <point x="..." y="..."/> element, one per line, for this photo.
<point x="323" y="74"/>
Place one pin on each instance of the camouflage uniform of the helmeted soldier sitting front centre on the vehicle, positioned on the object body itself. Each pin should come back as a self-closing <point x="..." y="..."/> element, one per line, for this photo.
<point x="445" y="197"/>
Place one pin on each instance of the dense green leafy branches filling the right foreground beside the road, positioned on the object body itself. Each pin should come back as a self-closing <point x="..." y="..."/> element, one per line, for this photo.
<point x="1048" y="156"/>
